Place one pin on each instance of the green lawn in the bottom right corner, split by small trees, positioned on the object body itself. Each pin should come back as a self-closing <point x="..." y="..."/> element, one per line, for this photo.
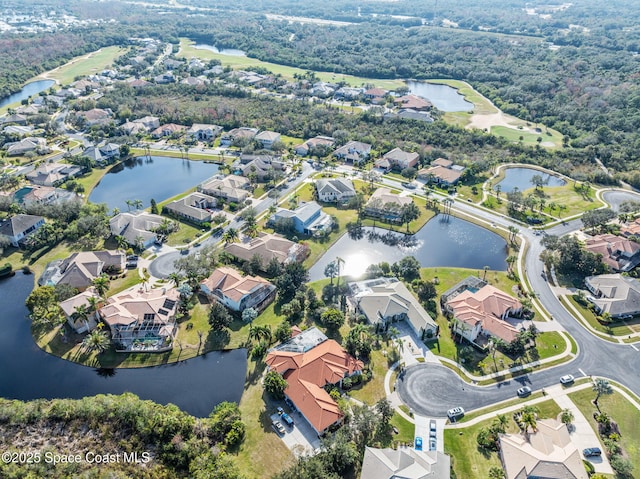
<point x="621" y="411"/>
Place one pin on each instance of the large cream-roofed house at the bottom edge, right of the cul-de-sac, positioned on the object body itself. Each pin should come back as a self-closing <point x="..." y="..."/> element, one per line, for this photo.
<point x="547" y="452"/>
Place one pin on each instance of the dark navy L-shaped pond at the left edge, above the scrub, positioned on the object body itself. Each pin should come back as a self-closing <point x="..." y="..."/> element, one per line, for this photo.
<point x="195" y="385"/>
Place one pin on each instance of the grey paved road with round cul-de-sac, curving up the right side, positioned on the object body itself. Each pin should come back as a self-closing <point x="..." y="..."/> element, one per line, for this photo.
<point x="431" y="390"/>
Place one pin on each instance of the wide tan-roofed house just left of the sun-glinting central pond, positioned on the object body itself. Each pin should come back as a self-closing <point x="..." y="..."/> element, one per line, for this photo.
<point x="268" y="246"/>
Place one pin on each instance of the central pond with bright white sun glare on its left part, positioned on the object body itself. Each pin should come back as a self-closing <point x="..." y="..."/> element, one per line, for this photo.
<point x="446" y="242"/>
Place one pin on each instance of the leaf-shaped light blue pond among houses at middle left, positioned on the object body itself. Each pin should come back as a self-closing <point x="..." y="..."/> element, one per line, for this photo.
<point x="143" y="178"/>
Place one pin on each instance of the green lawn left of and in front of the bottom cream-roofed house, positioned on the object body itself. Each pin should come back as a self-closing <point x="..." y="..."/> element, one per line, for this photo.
<point x="468" y="459"/>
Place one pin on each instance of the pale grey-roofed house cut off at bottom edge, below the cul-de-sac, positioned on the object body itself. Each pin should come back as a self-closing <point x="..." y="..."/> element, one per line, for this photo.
<point x="404" y="463"/>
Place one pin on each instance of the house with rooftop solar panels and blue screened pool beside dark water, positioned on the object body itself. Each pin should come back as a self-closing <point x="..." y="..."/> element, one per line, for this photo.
<point x="142" y="320"/>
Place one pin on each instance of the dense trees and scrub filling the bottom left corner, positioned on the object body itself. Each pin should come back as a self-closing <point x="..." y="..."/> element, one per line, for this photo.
<point x="107" y="431"/>
